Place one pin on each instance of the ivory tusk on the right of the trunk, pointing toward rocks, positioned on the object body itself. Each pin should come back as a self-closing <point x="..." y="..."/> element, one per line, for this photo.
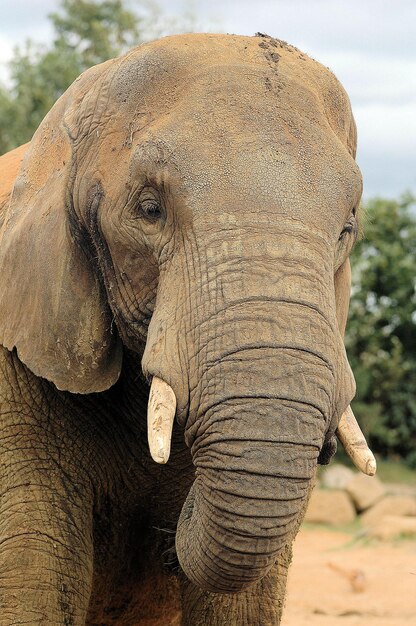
<point x="353" y="440"/>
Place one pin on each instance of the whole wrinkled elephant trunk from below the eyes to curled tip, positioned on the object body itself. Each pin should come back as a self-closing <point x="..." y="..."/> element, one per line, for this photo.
<point x="266" y="379"/>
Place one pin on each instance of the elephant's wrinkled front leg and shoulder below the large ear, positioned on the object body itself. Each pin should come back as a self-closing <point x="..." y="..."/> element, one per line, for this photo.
<point x="46" y="549"/>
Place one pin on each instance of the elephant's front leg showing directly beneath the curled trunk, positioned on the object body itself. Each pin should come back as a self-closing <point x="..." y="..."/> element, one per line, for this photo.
<point x="259" y="605"/>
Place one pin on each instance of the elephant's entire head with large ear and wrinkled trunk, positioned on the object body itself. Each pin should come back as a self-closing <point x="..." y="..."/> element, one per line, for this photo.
<point x="196" y="201"/>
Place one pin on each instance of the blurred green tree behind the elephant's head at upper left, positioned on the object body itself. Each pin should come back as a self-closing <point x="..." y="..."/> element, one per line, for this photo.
<point x="86" y="32"/>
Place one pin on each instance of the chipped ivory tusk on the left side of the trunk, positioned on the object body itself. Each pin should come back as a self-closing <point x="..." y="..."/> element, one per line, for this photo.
<point x="160" y="416"/>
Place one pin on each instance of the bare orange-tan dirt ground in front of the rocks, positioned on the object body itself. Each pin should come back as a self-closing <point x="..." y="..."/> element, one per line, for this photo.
<point x="320" y="594"/>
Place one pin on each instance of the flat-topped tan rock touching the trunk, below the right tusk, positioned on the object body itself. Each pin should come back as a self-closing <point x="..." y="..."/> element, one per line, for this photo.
<point x="330" y="507"/>
